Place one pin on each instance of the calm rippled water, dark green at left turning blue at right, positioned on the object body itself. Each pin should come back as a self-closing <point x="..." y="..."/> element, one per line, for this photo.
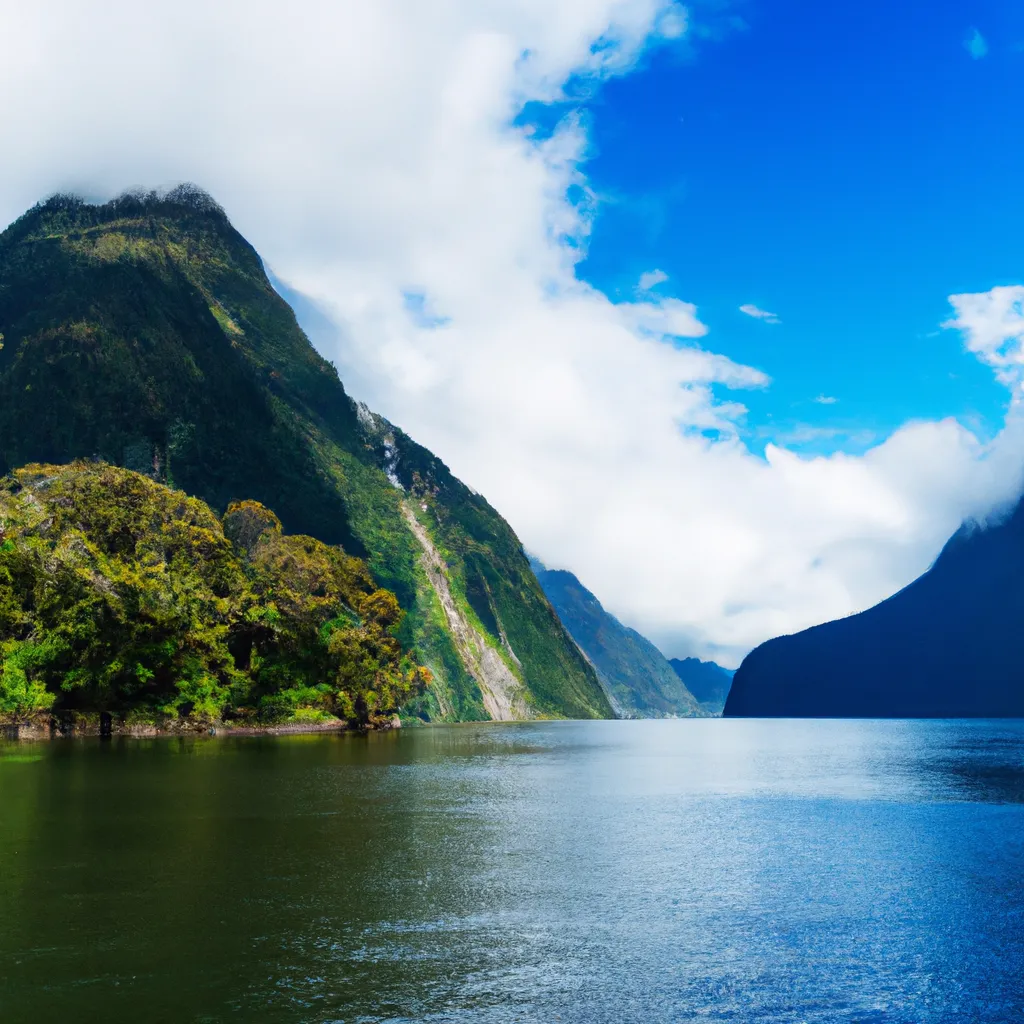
<point x="619" y="872"/>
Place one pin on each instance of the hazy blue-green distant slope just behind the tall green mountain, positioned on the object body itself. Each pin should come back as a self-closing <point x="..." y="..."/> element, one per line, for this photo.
<point x="638" y="679"/>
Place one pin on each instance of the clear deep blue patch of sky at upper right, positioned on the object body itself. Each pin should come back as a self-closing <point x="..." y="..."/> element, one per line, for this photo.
<point x="846" y="167"/>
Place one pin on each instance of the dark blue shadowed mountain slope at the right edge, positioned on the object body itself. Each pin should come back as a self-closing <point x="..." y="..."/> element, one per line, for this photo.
<point x="946" y="647"/>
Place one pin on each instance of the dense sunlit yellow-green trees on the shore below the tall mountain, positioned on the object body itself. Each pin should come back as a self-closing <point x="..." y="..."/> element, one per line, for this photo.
<point x="119" y="594"/>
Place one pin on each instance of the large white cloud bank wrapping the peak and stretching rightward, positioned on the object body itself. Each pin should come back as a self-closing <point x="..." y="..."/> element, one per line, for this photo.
<point x="366" y="150"/>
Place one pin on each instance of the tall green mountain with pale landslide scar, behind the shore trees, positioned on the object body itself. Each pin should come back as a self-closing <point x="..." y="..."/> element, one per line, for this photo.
<point x="145" y="332"/>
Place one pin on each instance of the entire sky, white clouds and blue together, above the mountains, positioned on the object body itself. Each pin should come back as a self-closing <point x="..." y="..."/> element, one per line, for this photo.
<point x="720" y="306"/>
